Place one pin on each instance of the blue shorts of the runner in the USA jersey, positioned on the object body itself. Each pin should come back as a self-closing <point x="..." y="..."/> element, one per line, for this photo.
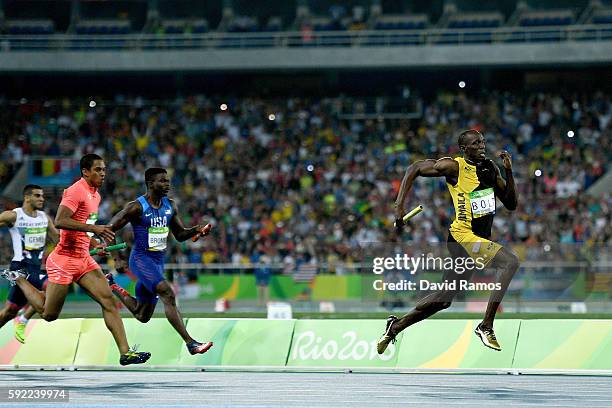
<point x="149" y="272"/>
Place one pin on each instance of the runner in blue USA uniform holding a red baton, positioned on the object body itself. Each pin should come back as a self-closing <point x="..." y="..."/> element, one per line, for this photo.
<point x="153" y="216"/>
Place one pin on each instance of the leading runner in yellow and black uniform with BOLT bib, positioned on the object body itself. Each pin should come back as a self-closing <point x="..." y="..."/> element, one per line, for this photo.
<point x="475" y="183"/>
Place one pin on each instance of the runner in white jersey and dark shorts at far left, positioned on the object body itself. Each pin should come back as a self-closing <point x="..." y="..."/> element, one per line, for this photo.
<point x="30" y="229"/>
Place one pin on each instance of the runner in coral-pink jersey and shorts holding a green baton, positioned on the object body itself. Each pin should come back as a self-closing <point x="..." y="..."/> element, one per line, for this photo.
<point x="70" y="261"/>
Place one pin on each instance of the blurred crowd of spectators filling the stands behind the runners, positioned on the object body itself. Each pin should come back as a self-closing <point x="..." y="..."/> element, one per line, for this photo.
<point x="288" y="178"/>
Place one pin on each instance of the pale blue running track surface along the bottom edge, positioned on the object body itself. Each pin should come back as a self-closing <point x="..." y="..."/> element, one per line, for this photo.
<point x="309" y="389"/>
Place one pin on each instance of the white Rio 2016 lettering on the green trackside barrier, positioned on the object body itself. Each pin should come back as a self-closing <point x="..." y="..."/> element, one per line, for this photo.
<point x="309" y="346"/>
